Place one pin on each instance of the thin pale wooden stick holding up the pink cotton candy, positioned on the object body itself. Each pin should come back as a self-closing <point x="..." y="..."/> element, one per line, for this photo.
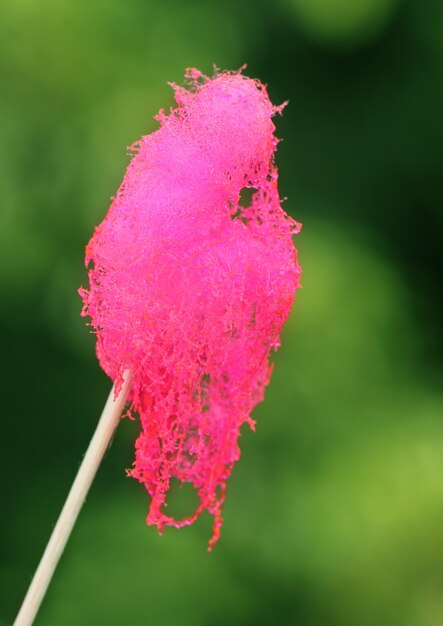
<point x="106" y="426"/>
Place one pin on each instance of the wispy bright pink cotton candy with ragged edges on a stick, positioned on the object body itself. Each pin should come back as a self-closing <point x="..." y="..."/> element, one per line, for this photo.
<point x="189" y="288"/>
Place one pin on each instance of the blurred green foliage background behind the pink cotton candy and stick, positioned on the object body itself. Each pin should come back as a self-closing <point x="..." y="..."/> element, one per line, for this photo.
<point x="334" y="515"/>
